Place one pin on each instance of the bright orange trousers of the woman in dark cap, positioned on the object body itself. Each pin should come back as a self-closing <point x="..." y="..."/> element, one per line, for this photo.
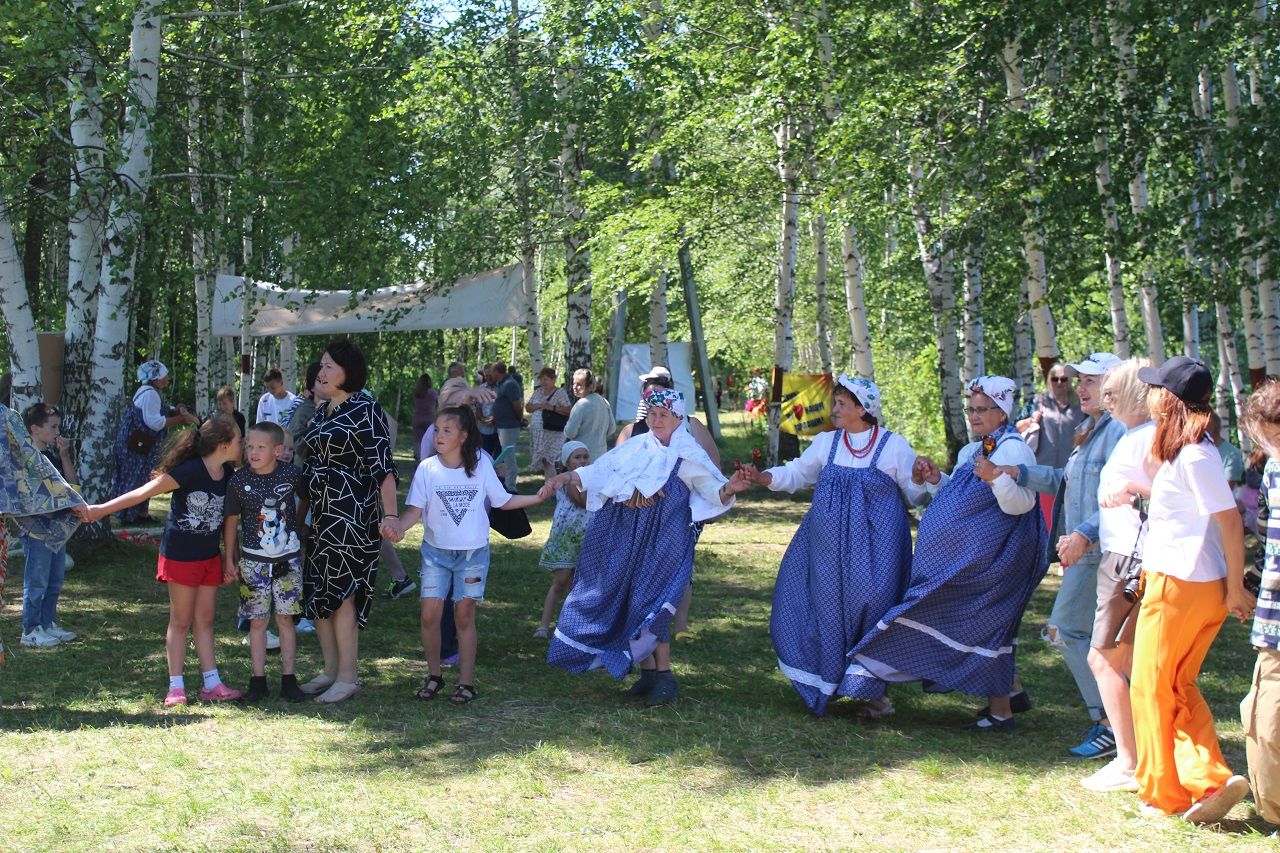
<point x="1180" y="759"/>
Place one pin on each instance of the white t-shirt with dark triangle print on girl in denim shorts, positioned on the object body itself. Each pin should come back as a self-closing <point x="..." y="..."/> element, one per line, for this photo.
<point x="454" y="505"/>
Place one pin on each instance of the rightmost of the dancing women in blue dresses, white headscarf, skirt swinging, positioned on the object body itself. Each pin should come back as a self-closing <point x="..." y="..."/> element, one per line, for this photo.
<point x="980" y="554"/>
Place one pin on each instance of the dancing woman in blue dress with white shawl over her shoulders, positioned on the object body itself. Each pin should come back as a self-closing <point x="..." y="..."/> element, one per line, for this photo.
<point x="638" y="553"/>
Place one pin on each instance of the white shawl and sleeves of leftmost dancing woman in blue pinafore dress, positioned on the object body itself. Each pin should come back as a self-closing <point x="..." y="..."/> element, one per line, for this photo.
<point x="643" y="464"/>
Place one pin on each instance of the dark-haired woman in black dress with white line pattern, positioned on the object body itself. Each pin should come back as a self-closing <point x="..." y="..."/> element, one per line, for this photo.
<point x="350" y="478"/>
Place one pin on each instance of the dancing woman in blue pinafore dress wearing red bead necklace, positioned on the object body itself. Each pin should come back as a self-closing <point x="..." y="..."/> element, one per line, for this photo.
<point x="849" y="562"/>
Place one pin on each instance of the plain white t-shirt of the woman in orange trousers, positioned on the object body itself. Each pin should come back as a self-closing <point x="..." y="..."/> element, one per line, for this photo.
<point x="1182" y="540"/>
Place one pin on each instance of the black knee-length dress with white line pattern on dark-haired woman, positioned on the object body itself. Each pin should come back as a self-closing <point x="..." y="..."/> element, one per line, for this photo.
<point x="349" y="457"/>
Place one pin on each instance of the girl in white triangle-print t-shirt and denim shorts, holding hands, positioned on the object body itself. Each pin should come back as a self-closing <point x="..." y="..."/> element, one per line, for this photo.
<point x="451" y="494"/>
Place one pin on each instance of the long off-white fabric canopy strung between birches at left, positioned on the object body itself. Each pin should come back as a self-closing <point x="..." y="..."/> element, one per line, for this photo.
<point x="486" y="300"/>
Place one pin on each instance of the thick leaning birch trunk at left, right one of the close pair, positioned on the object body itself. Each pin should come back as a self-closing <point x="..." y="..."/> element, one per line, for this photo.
<point x="111" y="335"/>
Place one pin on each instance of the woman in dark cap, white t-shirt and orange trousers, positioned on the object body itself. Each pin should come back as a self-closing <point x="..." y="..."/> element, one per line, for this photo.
<point x="1194" y="563"/>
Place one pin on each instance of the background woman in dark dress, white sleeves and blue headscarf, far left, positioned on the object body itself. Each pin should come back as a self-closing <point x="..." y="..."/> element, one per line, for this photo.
<point x="141" y="436"/>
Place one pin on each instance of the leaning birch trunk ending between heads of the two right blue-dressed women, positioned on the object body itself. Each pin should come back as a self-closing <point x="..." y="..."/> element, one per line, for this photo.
<point x="941" y="282"/>
